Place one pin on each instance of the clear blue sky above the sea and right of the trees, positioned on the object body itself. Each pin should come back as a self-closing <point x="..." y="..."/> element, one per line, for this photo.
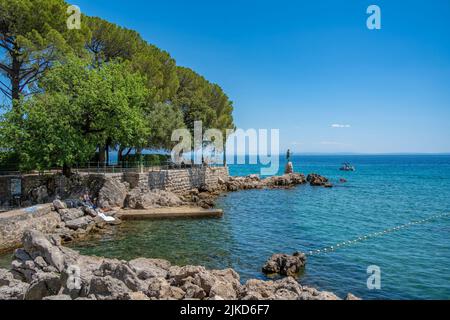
<point x="302" y="66"/>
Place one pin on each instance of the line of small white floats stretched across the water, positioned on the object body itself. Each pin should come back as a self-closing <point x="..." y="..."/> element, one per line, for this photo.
<point x="345" y="244"/>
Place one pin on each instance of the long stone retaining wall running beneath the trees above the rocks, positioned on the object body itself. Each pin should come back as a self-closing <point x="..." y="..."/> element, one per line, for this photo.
<point x="39" y="189"/>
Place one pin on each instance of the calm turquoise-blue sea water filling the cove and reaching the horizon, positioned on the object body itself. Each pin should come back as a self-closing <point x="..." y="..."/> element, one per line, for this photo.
<point x="385" y="191"/>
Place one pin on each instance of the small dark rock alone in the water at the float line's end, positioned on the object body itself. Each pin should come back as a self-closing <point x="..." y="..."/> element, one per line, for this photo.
<point x="285" y="265"/>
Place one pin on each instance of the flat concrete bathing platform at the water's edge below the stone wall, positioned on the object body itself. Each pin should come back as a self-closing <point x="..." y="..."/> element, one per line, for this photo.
<point x="169" y="213"/>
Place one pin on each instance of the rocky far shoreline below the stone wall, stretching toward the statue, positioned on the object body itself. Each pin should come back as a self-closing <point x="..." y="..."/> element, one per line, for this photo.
<point x="72" y="221"/>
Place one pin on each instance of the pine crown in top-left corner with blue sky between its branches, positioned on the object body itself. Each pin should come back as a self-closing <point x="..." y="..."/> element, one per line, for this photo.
<point x="33" y="35"/>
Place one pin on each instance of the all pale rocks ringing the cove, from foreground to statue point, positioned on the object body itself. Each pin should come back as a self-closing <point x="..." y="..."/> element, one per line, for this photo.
<point x="44" y="268"/>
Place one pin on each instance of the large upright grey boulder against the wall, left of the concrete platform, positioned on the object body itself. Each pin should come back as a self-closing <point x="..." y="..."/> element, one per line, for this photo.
<point x="112" y="194"/>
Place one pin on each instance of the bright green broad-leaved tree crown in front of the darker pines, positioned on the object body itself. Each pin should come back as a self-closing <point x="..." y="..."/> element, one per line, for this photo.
<point x="80" y="108"/>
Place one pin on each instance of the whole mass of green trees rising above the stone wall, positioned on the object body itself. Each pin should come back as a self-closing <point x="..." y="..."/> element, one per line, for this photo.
<point x="94" y="89"/>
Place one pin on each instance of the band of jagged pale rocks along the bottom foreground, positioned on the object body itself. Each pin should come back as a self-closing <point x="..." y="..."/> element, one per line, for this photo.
<point x="46" y="270"/>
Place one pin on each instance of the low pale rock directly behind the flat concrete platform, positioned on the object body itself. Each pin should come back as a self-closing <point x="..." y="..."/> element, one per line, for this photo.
<point x="145" y="199"/>
